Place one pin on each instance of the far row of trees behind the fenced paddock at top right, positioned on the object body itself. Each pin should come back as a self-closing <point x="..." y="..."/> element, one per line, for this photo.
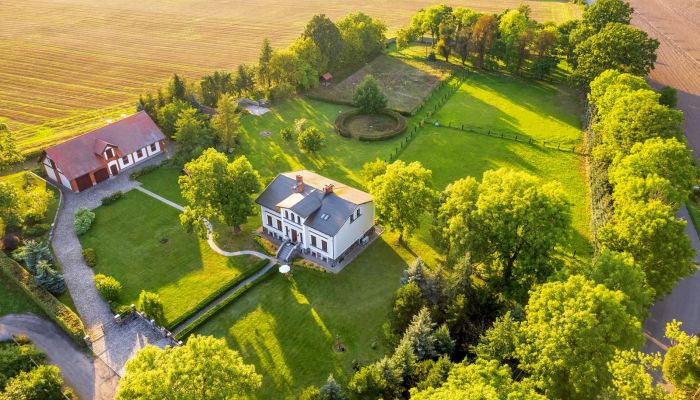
<point x="601" y="40"/>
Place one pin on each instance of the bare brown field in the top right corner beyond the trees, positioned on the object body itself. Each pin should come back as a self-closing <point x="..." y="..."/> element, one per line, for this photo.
<point x="676" y="24"/>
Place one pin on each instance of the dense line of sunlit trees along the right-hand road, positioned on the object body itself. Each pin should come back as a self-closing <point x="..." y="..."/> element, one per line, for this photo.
<point x="650" y="172"/>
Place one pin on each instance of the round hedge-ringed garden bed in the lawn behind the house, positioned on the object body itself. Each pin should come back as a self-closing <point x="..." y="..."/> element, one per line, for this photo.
<point x="370" y="127"/>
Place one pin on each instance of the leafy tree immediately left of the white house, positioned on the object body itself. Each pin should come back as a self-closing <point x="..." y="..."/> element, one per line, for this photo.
<point x="215" y="189"/>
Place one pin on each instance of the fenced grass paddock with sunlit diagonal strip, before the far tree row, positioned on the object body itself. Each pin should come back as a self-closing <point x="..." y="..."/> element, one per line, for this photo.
<point x="501" y="103"/>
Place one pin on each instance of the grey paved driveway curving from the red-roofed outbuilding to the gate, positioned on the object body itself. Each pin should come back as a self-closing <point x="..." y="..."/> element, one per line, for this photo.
<point x="113" y="343"/>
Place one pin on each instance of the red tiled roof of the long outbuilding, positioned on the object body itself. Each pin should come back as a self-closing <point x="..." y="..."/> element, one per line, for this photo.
<point x="78" y="156"/>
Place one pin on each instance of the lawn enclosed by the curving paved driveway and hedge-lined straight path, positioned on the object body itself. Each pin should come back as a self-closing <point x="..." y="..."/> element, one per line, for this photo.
<point x="126" y="237"/>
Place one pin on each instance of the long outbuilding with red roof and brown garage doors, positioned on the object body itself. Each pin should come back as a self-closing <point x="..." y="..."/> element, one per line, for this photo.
<point x="88" y="159"/>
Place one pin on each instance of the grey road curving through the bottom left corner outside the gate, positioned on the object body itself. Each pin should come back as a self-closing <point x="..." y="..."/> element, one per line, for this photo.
<point x="89" y="377"/>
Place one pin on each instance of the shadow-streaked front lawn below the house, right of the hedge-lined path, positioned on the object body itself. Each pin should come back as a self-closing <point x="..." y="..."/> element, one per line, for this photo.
<point x="287" y="329"/>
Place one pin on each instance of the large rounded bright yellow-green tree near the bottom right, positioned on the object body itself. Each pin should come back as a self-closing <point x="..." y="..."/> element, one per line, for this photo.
<point x="571" y="331"/>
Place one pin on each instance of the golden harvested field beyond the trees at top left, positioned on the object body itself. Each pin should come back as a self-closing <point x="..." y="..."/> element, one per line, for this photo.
<point x="68" y="65"/>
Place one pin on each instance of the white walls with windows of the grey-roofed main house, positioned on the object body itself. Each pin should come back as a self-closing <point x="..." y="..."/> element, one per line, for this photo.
<point x="286" y="225"/>
